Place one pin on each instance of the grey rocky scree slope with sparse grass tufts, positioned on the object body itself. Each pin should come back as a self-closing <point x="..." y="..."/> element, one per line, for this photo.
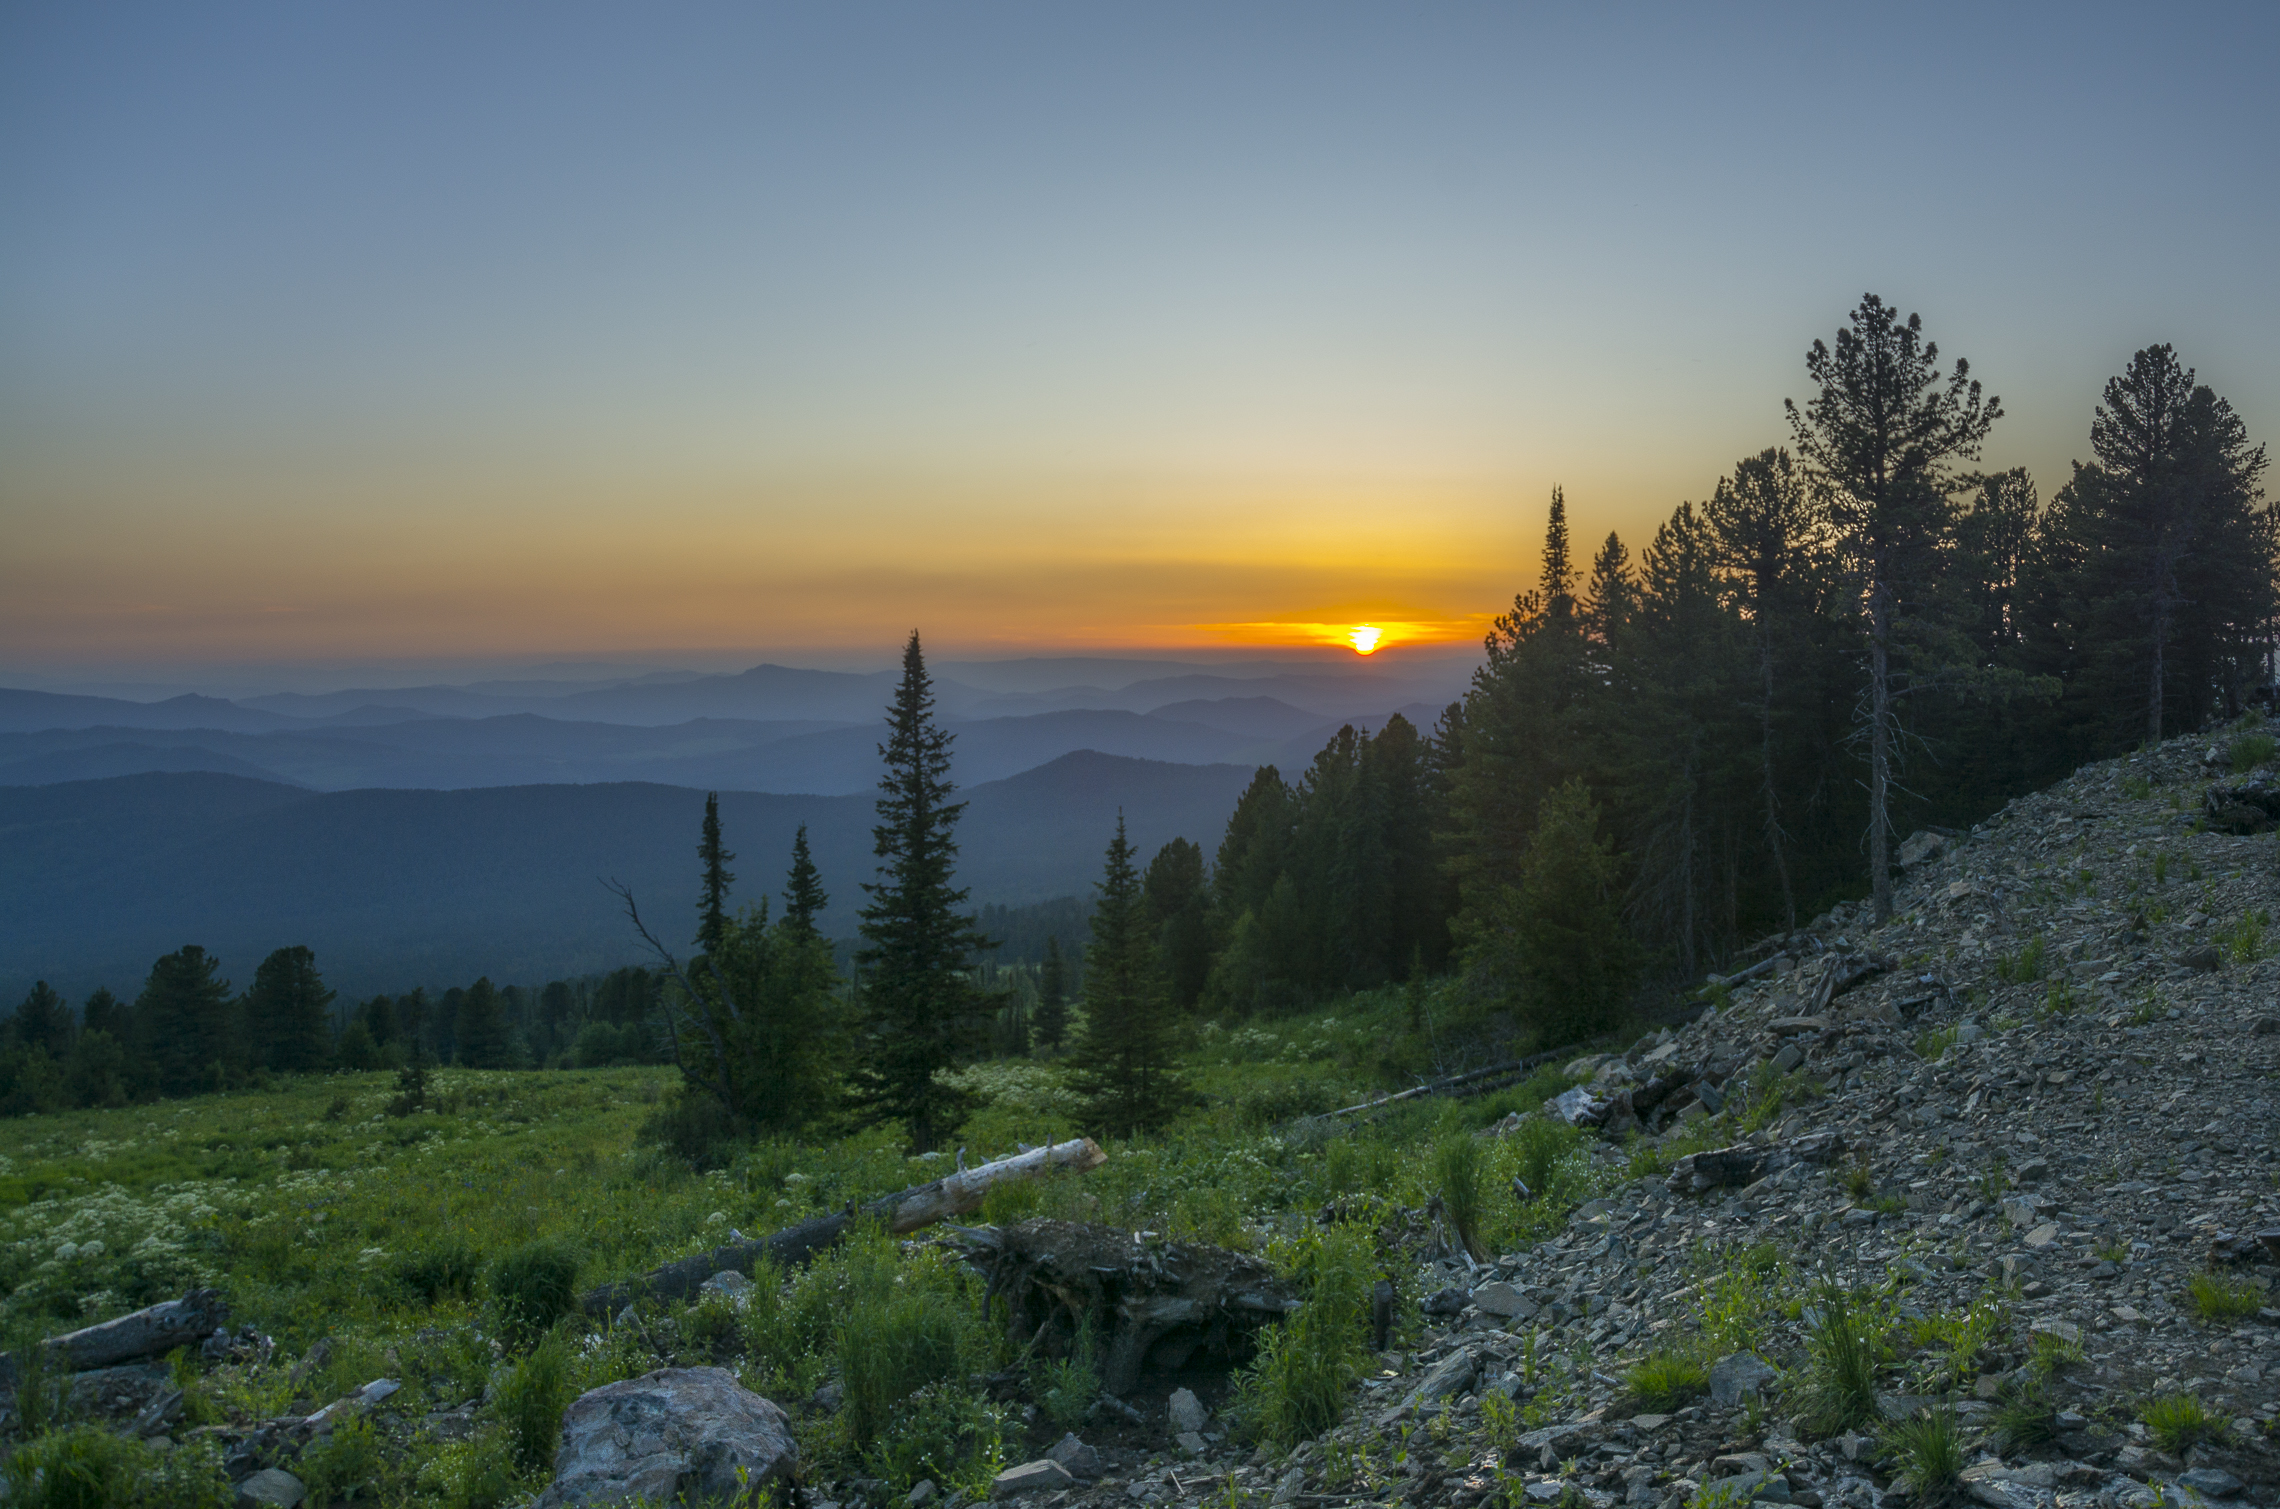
<point x="2026" y="1129"/>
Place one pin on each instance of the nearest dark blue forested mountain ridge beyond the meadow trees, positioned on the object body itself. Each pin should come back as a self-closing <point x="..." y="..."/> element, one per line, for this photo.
<point x="407" y="888"/>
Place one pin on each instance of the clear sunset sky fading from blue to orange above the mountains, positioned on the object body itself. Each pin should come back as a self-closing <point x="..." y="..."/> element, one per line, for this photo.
<point x="487" y="332"/>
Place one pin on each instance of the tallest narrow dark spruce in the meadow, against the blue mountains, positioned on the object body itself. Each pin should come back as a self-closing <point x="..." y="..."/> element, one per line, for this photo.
<point x="920" y="1006"/>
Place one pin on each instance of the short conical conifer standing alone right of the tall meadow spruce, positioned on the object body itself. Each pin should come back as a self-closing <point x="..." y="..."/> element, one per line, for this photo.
<point x="1125" y="1063"/>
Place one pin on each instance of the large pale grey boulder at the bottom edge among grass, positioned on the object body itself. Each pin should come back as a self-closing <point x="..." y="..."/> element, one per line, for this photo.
<point x="669" y="1435"/>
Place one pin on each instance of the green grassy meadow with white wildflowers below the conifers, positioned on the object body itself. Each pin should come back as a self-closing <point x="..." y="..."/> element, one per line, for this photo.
<point x="441" y="1248"/>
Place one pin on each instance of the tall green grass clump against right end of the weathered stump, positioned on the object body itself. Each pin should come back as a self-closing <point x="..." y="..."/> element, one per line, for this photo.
<point x="1298" y="1385"/>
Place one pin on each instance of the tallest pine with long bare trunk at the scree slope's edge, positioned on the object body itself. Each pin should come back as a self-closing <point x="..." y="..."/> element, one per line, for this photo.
<point x="1884" y="437"/>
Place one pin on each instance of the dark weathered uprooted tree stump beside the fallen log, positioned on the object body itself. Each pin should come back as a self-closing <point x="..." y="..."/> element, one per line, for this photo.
<point x="1150" y="1305"/>
